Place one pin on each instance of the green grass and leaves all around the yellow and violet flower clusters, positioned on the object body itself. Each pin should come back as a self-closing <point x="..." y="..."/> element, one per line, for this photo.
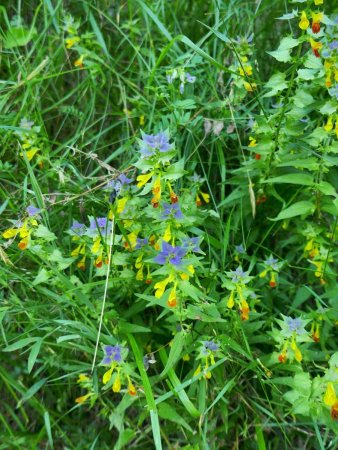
<point x="90" y="118"/>
